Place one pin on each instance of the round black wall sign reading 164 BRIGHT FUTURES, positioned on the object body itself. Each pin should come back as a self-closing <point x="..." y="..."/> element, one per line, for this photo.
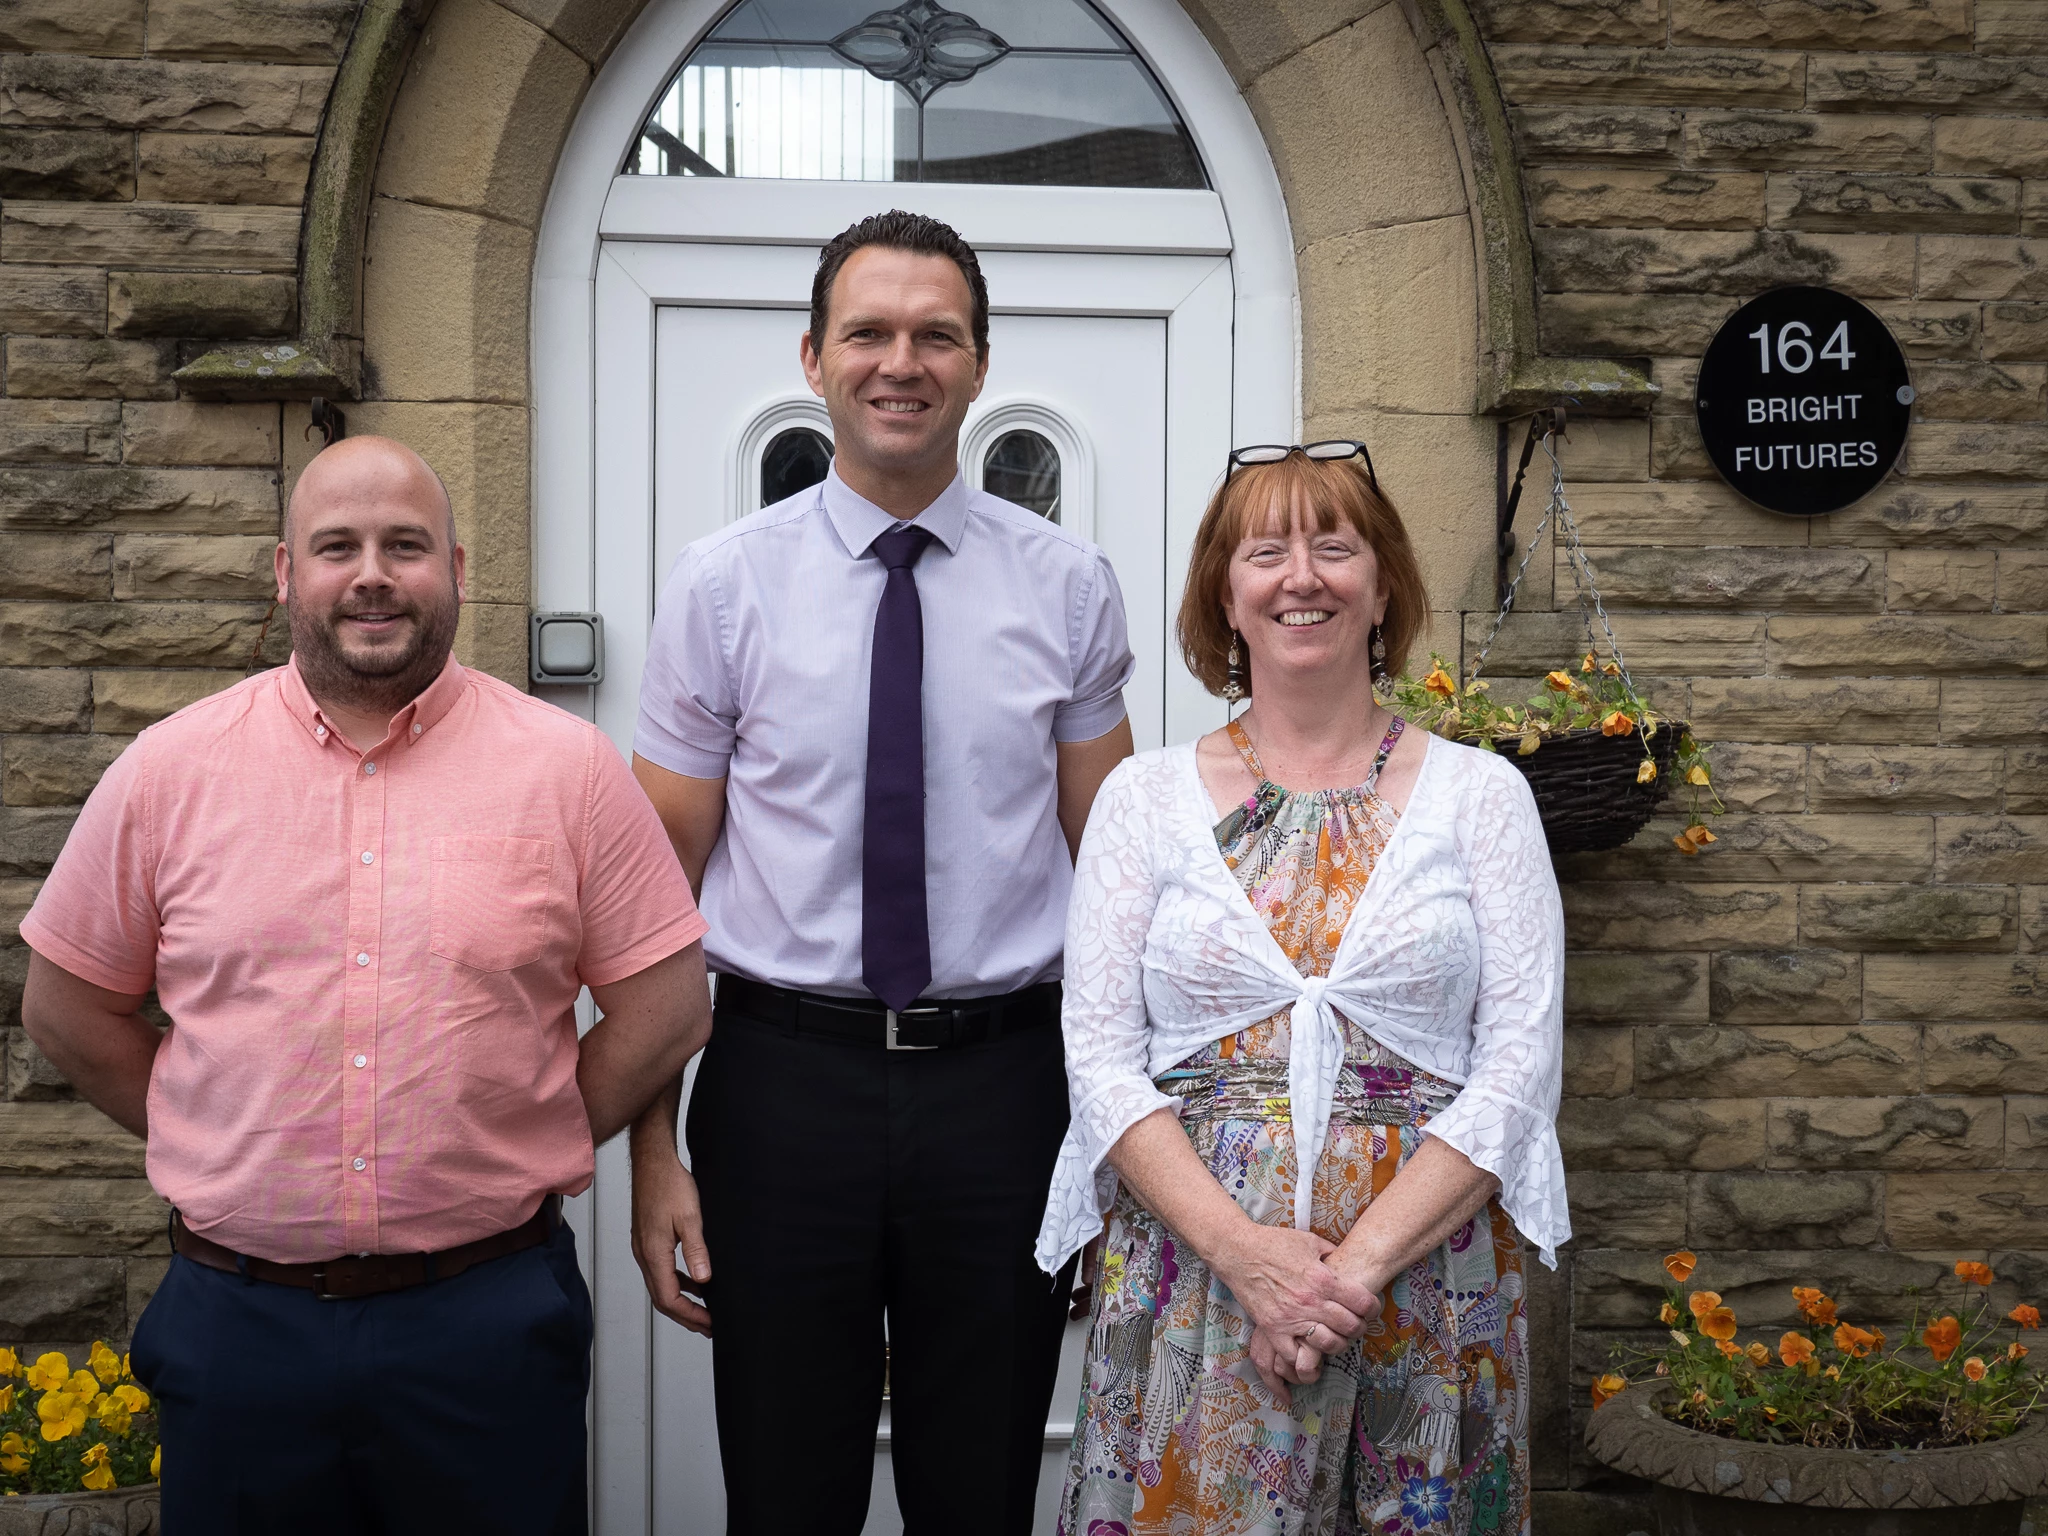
<point x="1803" y="400"/>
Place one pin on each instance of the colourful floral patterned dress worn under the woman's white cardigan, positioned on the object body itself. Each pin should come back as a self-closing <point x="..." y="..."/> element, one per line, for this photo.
<point x="1420" y="1428"/>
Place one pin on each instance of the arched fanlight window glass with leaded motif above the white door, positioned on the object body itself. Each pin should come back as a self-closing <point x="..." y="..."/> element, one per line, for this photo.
<point x="1041" y="93"/>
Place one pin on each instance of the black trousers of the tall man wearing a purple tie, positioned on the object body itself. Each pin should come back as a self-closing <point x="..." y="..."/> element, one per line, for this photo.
<point x="843" y="1185"/>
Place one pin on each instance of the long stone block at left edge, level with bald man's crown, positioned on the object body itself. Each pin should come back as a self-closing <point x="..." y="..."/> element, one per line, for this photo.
<point x="140" y="501"/>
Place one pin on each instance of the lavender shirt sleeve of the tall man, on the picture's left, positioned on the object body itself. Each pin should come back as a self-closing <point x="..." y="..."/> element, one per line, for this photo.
<point x="687" y="714"/>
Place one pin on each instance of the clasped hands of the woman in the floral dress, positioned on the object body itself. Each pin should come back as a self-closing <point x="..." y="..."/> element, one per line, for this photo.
<point x="1304" y="1302"/>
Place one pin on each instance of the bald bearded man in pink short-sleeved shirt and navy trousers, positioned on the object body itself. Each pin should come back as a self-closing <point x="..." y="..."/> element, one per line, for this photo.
<point x="368" y="890"/>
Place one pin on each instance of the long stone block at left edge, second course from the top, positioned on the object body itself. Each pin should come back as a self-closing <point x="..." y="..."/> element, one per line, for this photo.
<point x="54" y="91"/>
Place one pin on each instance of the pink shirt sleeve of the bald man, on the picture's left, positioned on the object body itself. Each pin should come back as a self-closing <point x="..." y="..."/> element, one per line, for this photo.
<point x="97" y="912"/>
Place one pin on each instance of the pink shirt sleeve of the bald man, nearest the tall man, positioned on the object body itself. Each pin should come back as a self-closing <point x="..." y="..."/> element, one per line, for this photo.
<point x="634" y="900"/>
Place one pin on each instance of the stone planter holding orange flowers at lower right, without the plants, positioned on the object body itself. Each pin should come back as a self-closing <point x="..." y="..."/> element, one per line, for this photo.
<point x="1707" y="1486"/>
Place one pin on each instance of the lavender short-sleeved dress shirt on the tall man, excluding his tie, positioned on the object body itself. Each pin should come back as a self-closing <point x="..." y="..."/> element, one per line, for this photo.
<point x="759" y="673"/>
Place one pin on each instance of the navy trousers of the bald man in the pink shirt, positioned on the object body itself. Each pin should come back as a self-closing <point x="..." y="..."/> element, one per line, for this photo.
<point x="452" y="1406"/>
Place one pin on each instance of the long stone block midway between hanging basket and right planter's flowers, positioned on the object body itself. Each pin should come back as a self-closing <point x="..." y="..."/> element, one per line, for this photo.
<point x="1754" y="1062"/>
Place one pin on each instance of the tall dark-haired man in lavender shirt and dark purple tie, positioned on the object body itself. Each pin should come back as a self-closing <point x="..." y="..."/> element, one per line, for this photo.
<point x="873" y="722"/>
